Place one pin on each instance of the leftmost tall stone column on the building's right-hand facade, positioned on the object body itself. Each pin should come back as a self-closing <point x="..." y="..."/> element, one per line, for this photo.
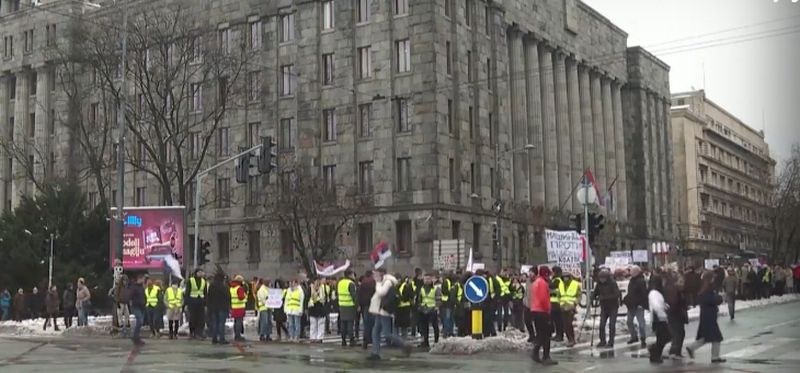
<point x="519" y="115"/>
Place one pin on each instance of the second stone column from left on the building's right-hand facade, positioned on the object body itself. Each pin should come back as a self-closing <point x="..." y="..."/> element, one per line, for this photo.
<point x="535" y="134"/>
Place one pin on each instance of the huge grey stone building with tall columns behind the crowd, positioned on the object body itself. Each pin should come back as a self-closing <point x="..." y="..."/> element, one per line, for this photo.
<point x="433" y="103"/>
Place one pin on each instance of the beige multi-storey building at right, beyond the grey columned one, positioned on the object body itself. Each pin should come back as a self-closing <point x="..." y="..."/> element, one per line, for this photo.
<point x="724" y="177"/>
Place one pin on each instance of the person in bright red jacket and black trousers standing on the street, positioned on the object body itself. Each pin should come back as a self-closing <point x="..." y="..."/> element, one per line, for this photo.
<point x="540" y="310"/>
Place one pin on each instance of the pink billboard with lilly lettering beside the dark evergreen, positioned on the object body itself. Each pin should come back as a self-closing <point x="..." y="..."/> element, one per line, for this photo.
<point x="149" y="235"/>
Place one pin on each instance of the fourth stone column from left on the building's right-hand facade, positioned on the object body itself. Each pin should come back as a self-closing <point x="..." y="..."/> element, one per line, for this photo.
<point x="562" y="129"/>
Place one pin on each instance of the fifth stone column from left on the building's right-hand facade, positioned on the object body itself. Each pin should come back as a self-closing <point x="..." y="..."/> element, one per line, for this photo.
<point x="576" y="129"/>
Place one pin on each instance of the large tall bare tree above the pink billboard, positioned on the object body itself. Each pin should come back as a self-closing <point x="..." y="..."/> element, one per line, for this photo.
<point x="172" y="65"/>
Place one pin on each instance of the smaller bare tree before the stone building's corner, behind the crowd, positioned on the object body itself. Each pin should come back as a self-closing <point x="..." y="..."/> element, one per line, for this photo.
<point x="314" y="212"/>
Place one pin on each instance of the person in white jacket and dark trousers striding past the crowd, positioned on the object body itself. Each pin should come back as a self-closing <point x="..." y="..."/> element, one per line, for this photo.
<point x="383" y="318"/>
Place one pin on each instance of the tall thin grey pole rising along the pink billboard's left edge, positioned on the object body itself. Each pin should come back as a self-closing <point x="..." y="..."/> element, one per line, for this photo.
<point x="121" y="142"/>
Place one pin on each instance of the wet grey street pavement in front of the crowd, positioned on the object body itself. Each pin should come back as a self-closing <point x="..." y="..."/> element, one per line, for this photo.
<point x="759" y="340"/>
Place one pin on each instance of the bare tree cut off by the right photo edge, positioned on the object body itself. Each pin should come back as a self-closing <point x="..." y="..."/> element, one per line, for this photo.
<point x="785" y="210"/>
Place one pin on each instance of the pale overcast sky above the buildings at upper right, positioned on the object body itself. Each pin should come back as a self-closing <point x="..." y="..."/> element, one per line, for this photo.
<point x="757" y="80"/>
